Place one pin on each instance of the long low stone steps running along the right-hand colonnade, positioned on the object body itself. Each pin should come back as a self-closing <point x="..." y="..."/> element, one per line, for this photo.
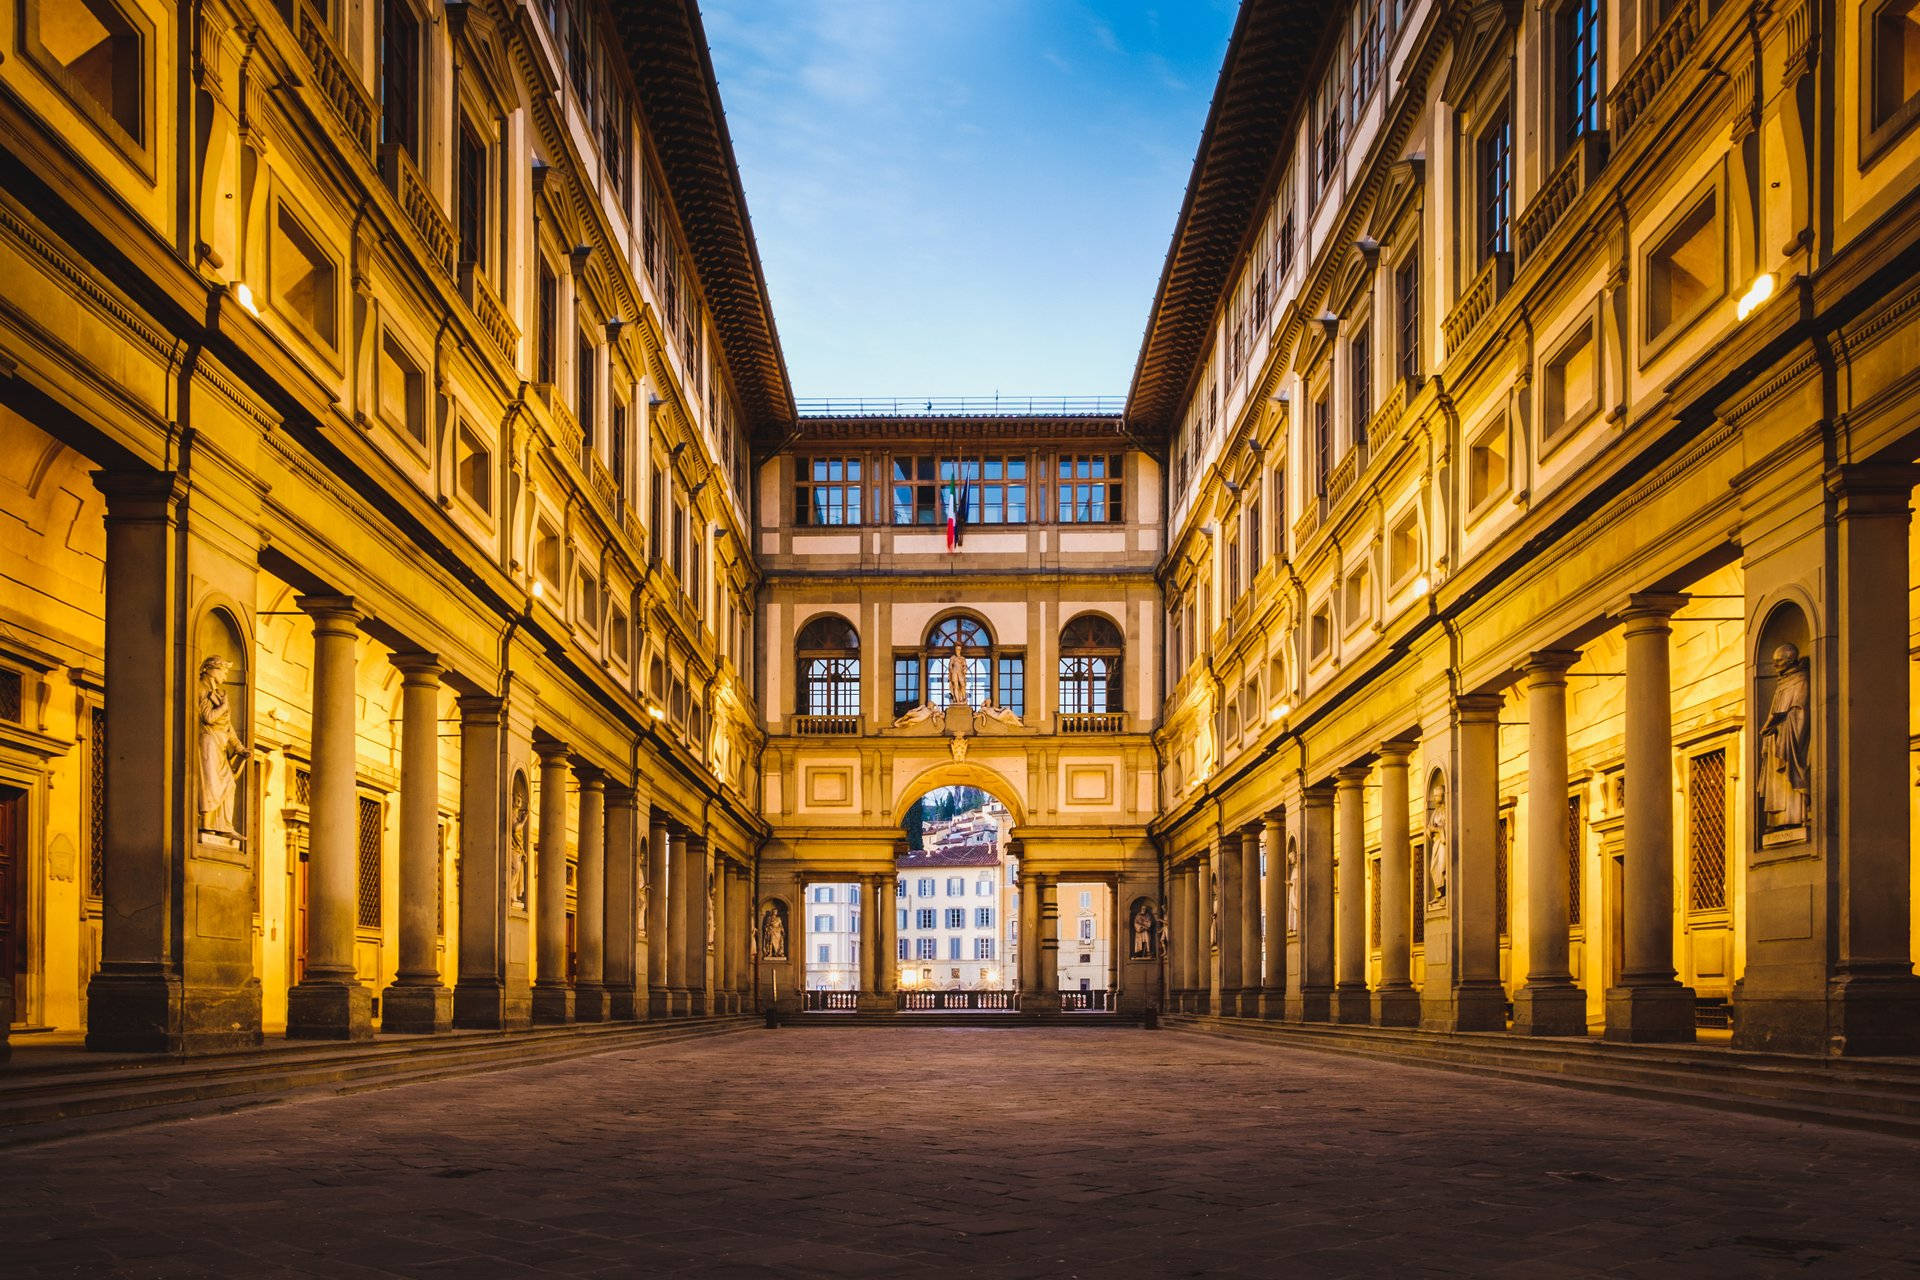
<point x="1787" y="1087"/>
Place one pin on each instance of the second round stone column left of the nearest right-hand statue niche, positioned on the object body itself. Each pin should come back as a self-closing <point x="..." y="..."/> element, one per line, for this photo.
<point x="1548" y="1005"/>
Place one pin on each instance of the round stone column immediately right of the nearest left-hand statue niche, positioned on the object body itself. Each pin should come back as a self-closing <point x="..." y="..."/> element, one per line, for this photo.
<point x="331" y="1003"/>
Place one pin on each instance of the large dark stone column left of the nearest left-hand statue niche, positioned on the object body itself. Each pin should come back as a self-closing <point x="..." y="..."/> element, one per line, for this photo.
<point x="135" y="999"/>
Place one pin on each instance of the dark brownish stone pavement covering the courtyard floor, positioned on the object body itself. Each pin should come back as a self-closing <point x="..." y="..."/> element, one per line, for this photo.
<point x="965" y="1152"/>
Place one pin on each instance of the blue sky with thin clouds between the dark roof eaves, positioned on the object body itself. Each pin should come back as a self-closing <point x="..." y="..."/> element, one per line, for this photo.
<point x="965" y="197"/>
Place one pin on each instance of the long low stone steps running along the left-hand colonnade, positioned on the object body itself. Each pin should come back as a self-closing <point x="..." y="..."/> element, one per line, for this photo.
<point x="37" y="1102"/>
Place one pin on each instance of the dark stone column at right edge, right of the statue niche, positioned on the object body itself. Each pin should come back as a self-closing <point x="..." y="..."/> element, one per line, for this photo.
<point x="1873" y="997"/>
